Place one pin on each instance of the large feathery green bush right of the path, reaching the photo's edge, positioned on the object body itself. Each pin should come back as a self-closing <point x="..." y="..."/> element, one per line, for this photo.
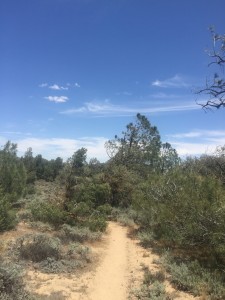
<point x="184" y="208"/>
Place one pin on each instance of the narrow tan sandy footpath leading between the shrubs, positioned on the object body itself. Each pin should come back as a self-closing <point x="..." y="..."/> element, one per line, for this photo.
<point x="111" y="279"/>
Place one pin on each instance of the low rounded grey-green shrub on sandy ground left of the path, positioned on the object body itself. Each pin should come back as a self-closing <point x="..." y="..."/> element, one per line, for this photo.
<point x="38" y="247"/>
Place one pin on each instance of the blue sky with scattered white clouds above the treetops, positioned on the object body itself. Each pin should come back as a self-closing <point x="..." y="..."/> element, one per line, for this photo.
<point x="73" y="73"/>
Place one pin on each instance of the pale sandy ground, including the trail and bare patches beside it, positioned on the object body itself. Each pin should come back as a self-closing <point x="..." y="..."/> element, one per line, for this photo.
<point x="119" y="271"/>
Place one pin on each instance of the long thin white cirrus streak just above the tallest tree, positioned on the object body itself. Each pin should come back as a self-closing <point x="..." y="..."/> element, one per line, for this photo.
<point x="108" y="109"/>
